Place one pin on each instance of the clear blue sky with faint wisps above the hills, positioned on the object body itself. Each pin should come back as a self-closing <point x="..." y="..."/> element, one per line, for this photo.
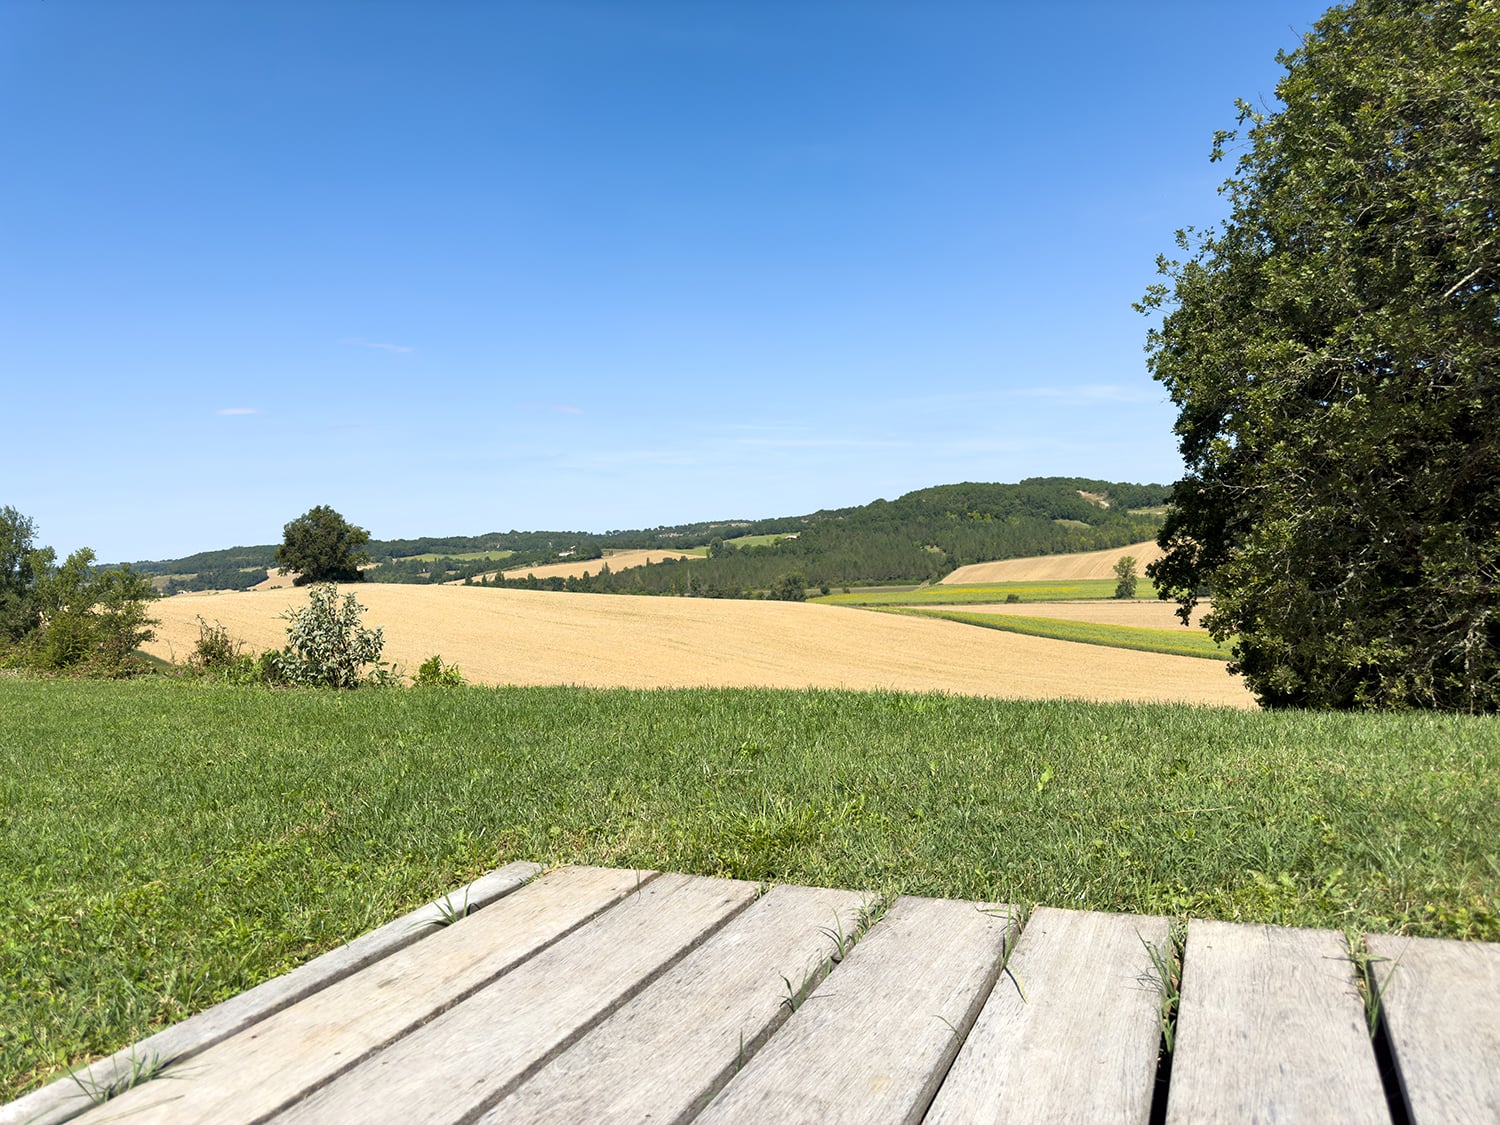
<point x="458" y="268"/>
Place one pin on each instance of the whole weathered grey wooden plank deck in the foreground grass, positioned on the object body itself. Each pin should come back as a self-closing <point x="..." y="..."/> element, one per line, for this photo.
<point x="602" y="995"/>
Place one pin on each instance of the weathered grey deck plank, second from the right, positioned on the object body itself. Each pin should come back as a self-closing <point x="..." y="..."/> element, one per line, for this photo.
<point x="1271" y="1027"/>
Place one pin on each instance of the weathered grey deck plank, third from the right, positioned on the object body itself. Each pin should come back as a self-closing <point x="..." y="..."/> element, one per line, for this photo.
<point x="1070" y="1033"/>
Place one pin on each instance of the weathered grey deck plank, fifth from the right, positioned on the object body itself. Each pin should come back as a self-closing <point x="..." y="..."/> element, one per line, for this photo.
<point x="673" y="1048"/>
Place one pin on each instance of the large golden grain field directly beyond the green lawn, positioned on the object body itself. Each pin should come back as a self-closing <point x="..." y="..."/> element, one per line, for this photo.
<point x="520" y="637"/>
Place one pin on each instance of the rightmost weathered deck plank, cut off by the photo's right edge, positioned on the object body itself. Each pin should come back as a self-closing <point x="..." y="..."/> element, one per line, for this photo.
<point x="1442" y="1007"/>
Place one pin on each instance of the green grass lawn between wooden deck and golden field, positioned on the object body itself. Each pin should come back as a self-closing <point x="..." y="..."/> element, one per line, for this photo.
<point x="166" y="845"/>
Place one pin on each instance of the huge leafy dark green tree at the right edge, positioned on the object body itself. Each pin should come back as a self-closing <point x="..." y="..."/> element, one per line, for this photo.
<point x="1334" y="352"/>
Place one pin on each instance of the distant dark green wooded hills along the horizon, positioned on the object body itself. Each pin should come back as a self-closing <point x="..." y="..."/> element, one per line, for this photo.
<point x="916" y="538"/>
